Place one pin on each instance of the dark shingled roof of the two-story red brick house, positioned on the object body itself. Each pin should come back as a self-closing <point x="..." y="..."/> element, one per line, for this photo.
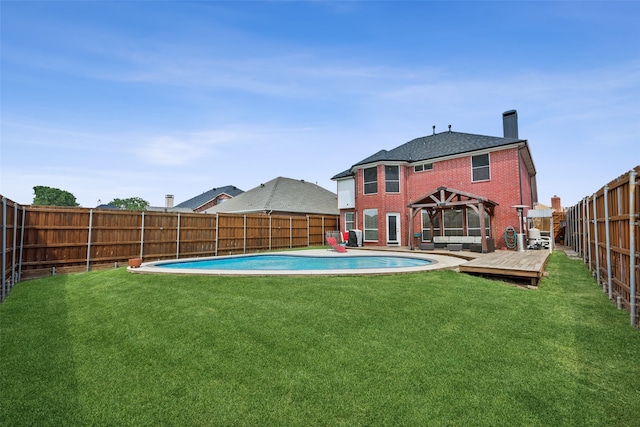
<point x="433" y="147"/>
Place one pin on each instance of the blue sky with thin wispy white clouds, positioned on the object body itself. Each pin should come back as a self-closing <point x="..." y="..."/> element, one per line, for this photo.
<point x="119" y="99"/>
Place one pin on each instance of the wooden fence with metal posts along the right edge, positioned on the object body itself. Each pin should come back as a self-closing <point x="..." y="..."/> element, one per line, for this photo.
<point x="604" y="230"/>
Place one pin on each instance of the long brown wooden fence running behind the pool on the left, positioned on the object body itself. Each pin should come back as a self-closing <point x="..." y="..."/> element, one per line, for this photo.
<point x="41" y="241"/>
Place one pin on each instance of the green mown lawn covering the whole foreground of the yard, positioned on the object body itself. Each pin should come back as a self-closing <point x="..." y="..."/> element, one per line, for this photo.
<point x="436" y="348"/>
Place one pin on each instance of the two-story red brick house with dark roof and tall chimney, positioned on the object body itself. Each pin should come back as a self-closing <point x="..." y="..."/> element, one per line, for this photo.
<point x="392" y="196"/>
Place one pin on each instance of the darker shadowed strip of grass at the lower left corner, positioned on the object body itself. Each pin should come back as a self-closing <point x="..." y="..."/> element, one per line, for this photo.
<point x="42" y="381"/>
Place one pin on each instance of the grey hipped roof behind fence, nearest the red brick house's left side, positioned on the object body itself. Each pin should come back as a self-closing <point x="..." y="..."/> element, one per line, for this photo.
<point x="282" y="195"/>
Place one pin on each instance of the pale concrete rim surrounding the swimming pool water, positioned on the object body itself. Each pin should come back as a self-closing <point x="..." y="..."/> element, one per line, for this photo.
<point x="438" y="262"/>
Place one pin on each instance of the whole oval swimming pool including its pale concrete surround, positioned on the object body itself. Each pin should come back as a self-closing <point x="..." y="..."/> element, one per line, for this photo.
<point x="306" y="262"/>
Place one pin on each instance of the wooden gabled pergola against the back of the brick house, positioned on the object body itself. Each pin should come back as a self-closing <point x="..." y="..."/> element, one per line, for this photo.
<point x="444" y="198"/>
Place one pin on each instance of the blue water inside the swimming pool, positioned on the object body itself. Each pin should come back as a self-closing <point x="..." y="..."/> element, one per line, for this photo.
<point x="292" y="262"/>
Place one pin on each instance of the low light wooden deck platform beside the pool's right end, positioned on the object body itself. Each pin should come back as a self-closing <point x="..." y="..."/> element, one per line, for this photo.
<point x="527" y="266"/>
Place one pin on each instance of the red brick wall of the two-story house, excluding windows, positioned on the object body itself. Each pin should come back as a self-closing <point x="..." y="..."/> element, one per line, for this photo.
<point x="507" y="175"/>
